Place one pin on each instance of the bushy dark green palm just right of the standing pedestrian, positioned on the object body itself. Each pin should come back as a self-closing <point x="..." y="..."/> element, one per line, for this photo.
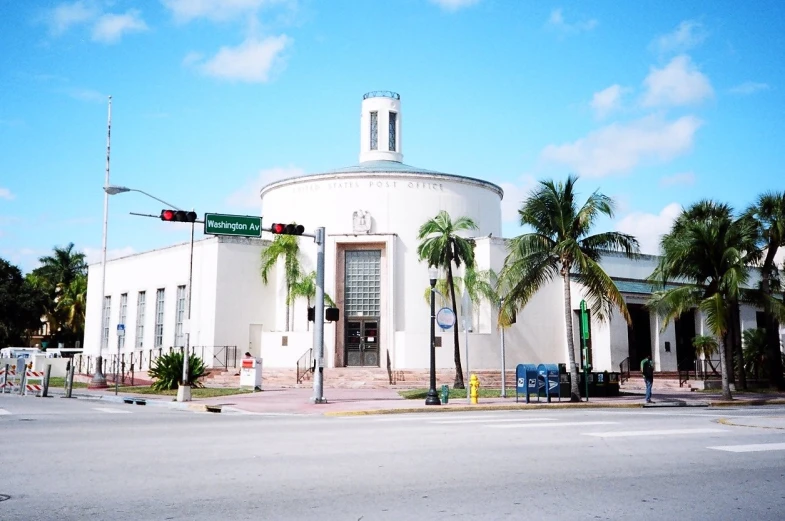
<point x="708" y="249"/>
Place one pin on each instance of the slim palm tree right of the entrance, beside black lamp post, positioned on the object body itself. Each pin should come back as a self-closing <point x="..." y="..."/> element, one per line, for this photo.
<point x="441" y="246"/>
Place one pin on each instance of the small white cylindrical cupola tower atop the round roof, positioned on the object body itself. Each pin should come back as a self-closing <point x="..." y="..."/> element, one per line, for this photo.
<point x="380" y="127"/>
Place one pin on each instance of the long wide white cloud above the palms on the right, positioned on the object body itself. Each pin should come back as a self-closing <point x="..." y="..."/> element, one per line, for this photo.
<point x="618" y="147"/>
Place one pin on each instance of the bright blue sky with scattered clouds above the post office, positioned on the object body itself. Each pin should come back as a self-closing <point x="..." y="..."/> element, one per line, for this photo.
<point x="655" y="103"/>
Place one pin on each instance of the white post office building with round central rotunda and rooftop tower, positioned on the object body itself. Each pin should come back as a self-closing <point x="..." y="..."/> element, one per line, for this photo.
<point x="371" y="211"/>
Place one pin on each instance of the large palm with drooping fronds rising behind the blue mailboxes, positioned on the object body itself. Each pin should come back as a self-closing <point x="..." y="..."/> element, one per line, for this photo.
<point x="561" y="245"/>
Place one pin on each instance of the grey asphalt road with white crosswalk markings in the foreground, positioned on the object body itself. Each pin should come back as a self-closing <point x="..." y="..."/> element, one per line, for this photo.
<point x="79" y="460"/>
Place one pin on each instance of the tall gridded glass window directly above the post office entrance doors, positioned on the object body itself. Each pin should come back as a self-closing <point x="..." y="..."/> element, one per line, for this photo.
<point x="362" y="283"/>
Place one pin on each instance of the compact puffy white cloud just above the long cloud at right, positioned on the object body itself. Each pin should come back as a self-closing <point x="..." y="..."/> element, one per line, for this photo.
<point x="678" y="83"/>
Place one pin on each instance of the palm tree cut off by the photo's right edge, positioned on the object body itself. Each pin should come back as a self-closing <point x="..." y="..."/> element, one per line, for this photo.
<point x="768" y="213"/>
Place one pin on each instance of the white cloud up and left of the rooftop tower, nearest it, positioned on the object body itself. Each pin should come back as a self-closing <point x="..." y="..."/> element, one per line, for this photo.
<point x="251" y="61"/>
